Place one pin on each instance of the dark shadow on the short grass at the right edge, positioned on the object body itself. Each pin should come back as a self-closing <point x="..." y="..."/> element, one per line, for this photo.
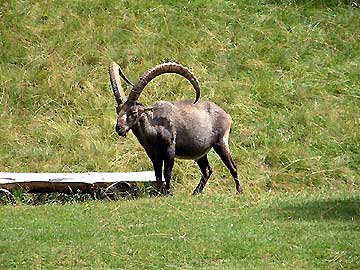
<point x="323" y="209"/>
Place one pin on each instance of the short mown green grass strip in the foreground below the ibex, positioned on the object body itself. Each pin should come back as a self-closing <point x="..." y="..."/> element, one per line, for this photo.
<point x="203" y="232"/>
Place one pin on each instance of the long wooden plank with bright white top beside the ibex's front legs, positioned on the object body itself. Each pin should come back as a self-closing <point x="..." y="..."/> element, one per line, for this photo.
<point x="65" y="182"/>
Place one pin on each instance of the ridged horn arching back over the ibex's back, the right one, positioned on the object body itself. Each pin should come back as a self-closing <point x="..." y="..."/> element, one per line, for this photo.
<point x="161" y="69"/>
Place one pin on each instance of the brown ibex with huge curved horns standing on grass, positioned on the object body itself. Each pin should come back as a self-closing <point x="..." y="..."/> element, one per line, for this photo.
<point x="169" y="129"/>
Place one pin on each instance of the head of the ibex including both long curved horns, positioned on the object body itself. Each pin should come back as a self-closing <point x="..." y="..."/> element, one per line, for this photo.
<point x="128" y="109"/>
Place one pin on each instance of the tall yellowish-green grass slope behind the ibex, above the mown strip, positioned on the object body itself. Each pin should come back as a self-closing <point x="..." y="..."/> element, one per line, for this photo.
<point x="286" y="71"/>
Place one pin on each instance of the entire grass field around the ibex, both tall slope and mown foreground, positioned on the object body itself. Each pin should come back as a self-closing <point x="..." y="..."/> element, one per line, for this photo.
<point x="287" y="72"/>
